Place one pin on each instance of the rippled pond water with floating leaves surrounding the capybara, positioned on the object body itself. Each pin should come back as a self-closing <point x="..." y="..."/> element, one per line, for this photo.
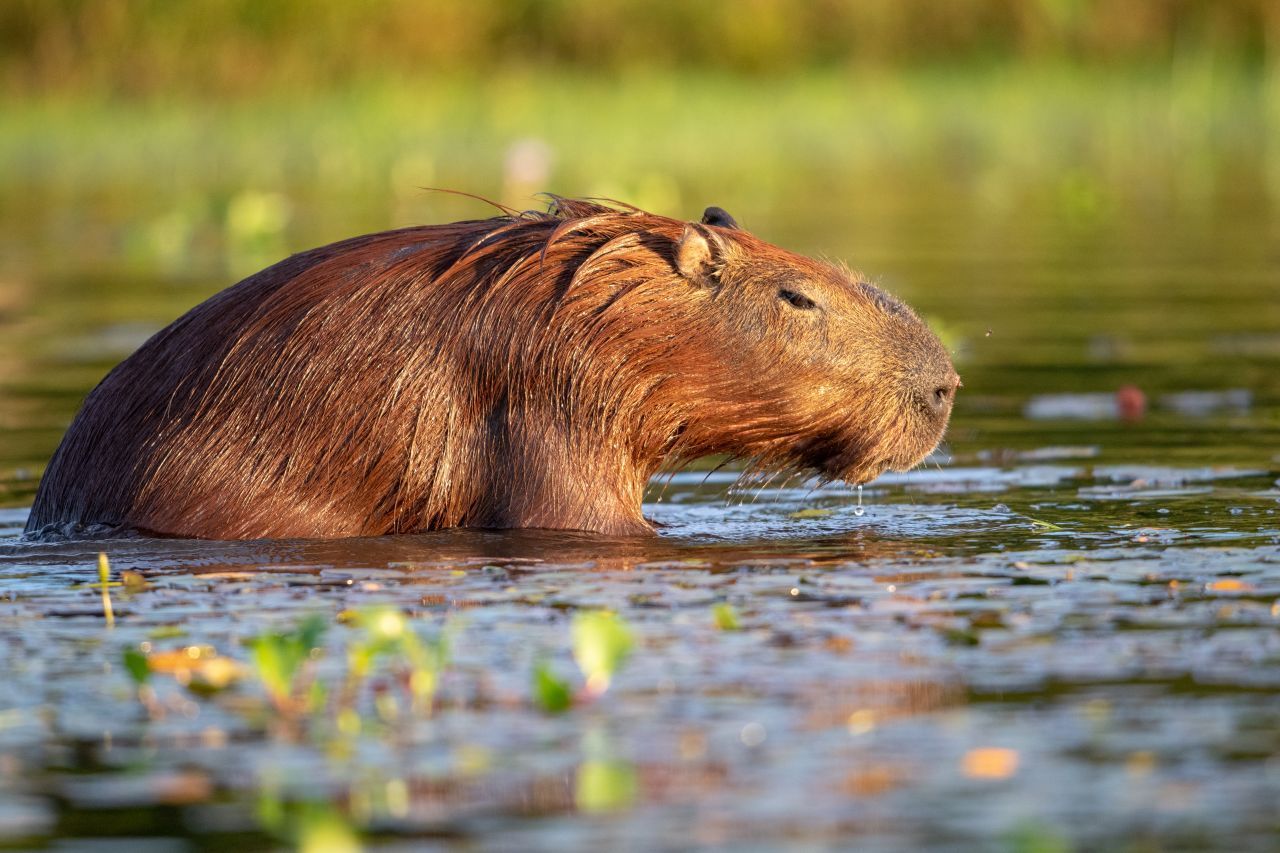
<point x="1060" y="632"/>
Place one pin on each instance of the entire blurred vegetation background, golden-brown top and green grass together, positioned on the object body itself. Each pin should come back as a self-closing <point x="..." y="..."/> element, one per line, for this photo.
<point x="170" y="133"/>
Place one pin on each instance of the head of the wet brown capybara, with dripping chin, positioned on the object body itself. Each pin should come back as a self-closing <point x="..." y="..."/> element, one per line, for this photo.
<point x="822" y="371"/>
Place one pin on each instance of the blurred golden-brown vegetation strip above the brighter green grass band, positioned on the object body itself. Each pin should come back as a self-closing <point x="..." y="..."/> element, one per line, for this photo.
<point x="228" y="48"/>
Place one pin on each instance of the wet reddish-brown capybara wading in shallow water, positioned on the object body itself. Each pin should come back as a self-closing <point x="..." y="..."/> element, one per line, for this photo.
<point x="531" y="371"/>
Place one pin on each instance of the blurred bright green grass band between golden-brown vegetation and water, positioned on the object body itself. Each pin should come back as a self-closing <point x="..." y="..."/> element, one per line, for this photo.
<point x="1072" y="140"/>
